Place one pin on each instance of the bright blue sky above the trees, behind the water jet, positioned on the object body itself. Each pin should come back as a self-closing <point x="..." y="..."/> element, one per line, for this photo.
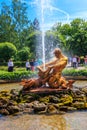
<point x="49" y="12"/>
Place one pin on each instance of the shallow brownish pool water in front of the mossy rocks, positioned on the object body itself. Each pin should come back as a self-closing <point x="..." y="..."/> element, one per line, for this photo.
<point x="68" y="121"/>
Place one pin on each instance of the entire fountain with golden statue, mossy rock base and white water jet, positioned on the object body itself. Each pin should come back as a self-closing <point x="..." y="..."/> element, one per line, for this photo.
<point x="49" y="93"/>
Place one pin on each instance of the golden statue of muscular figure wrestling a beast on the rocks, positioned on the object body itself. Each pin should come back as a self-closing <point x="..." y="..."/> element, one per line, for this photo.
<point x="52" y="75"/>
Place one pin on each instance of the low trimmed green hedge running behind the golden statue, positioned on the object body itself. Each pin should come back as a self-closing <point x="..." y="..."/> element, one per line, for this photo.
<point x="21" y="74"/>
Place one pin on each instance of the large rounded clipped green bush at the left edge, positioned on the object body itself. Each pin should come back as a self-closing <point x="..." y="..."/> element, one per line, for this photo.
<point x="7" y="50"/>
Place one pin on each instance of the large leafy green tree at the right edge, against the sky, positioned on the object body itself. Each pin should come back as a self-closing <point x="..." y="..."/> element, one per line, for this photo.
<point x="73" y="37"/>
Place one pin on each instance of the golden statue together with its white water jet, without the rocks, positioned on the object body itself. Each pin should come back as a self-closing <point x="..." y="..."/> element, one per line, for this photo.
<point x="49" y="73"/>
